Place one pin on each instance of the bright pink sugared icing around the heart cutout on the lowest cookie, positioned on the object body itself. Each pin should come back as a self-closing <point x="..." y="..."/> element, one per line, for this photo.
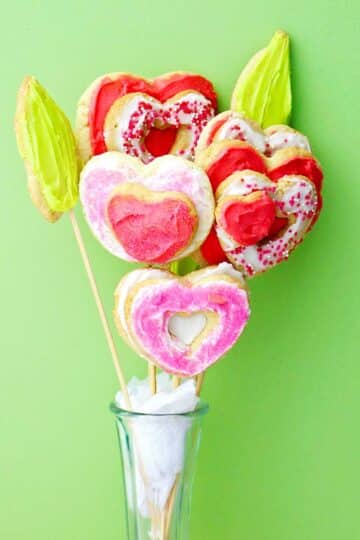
<point x="153" y="308"/>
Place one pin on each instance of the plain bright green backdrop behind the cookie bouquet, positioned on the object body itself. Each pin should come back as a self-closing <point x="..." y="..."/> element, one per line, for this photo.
<point x="280" y="452"/>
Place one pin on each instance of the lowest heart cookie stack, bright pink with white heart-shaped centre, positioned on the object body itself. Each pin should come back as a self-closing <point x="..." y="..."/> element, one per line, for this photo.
<point x="182" y="324"/>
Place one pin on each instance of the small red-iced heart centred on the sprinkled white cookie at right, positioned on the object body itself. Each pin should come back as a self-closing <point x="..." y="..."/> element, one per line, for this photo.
<point x="248" y="222"/>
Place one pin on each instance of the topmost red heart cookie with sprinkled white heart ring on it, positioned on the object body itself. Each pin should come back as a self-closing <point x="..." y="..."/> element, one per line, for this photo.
<point x="142" y="117"/>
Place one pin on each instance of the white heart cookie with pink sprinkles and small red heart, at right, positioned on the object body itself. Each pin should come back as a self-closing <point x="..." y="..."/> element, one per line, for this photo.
<point x="259" y="222"/>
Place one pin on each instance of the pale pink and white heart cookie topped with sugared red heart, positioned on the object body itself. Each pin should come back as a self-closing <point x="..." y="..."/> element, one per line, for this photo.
<point x="152" y="213"/>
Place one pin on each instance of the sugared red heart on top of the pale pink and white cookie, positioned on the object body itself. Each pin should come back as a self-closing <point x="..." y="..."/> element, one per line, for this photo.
<point x="151" y="232"/>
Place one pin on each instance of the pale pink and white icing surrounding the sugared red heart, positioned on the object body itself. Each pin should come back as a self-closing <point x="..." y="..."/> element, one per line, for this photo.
<point x="167" y="173"/>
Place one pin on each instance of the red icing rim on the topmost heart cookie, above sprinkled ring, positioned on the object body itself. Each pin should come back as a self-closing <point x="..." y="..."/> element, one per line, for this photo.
<point x="162" y="89"/>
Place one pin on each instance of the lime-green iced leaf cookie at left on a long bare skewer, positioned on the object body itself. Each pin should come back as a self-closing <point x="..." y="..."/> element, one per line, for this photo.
<point x="46" y="143"/>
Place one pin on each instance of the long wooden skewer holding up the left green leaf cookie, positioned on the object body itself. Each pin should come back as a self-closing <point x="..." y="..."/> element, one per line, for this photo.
<point x="100" y="307"/>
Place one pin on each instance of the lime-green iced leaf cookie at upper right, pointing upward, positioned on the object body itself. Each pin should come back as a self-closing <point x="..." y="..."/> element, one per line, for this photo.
<point x="263" y="90"/>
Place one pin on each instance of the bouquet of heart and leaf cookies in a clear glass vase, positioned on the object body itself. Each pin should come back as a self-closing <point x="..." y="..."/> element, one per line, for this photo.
<point x="200" y="202"/>
